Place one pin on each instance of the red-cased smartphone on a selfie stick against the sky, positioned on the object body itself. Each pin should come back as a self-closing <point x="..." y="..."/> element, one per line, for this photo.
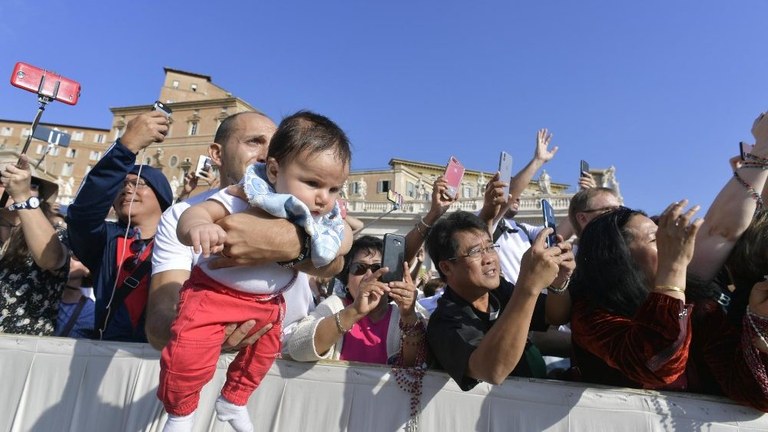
<point x="45" y="83"/>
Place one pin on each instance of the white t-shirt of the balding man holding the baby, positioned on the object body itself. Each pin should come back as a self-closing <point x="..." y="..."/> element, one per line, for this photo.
<point x="169" y="253"/>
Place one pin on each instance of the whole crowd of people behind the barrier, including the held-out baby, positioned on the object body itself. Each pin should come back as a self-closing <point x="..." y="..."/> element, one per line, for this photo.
<point x="264" y="264"/>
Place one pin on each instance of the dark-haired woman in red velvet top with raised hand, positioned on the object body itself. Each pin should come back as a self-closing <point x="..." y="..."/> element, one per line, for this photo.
<point x="630" y="323"/>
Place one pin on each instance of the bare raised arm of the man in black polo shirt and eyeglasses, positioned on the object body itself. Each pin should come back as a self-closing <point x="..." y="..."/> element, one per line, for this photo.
<point x="500" y="350"/>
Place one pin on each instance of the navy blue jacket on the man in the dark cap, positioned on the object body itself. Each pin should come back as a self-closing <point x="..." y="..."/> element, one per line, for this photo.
<point x="94" y="240"/>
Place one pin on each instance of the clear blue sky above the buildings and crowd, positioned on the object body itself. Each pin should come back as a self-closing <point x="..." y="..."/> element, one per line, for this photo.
<point x="663" y="90"/>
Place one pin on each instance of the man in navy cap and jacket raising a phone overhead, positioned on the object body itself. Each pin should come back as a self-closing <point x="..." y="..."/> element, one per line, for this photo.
<point x="118" y="254"/>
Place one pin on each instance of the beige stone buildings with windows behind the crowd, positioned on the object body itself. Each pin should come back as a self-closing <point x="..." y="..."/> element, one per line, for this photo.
<point x="199" y="106"/>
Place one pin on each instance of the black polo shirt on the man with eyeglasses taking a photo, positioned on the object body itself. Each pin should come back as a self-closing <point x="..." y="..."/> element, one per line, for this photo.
<point x="456" y="328"/>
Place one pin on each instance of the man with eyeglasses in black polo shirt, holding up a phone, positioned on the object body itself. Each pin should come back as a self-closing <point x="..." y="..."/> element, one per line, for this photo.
<point x="479" y="331"/>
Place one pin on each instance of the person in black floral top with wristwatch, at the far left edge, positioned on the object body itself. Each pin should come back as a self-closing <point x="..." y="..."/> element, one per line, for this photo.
<point x="34" y="262"/>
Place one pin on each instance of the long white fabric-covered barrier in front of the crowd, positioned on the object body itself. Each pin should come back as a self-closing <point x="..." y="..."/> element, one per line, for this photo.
<point x="56" y="384"/>
